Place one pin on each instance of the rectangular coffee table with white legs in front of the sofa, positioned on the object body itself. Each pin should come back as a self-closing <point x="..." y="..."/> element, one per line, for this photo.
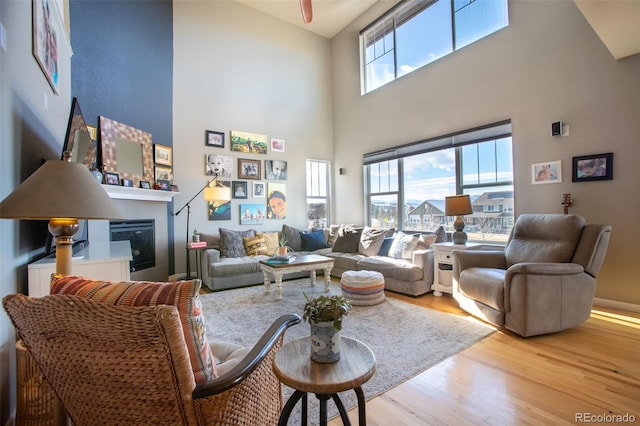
<point x="302" y="262"/>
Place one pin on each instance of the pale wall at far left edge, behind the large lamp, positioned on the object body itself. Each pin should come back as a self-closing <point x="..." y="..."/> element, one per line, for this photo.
<point x="24" y="122"/>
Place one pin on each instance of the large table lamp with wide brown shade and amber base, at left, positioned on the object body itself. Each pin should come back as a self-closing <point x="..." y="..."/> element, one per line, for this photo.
<point x="61" y="192"/>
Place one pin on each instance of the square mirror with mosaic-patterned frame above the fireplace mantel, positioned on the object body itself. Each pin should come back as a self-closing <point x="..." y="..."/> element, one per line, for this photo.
<point x="126" y="151"/>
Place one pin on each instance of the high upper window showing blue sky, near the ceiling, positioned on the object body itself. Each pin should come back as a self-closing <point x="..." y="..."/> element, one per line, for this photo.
<point x="417" y="32"/>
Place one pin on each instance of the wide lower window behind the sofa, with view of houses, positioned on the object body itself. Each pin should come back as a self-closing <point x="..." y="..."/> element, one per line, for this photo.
<point x="408" y="190"/>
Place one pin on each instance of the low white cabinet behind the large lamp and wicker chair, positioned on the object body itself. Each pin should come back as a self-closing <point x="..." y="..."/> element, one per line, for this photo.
<point x="104" y="261"/>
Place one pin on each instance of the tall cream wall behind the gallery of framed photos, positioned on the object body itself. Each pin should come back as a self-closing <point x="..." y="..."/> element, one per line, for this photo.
<point x="236" y="68"/>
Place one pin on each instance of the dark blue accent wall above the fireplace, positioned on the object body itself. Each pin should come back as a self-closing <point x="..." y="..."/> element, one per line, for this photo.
<point x="122" y="67"/>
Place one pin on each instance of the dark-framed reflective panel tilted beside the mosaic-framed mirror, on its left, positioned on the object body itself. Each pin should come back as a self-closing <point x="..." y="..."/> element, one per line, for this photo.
<point x="78" y="139"/>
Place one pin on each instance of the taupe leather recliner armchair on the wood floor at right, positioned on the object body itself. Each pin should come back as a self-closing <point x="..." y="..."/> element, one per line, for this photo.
<point x="543" y="282"/>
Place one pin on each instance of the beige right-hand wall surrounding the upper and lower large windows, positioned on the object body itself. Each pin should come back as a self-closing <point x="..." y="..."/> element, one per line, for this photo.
<point x="548" y="65"/>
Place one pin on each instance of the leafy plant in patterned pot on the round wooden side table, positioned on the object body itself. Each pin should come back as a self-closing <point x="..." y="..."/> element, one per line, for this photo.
<point x="324" y="314"/>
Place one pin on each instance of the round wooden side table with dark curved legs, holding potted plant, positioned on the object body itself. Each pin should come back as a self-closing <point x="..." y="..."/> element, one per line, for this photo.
<point x="293" y="366"/>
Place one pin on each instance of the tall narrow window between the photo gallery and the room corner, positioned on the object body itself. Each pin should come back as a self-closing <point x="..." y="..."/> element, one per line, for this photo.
<point x="318" y="184"/>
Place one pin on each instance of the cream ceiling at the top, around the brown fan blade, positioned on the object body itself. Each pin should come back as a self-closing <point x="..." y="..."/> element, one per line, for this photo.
<point x="617" y="22"/>
